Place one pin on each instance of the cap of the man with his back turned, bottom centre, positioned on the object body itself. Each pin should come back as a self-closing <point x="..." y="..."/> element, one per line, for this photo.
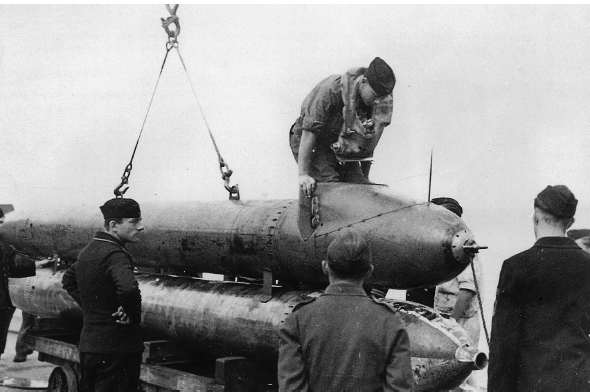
<point x="349" y="253"/>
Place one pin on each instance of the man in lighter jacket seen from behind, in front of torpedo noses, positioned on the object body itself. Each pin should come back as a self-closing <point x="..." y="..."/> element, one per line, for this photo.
<point x="345" y="340"/>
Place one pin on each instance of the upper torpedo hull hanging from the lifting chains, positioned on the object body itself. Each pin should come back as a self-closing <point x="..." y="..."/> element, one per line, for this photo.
<point x="414" y="244"/>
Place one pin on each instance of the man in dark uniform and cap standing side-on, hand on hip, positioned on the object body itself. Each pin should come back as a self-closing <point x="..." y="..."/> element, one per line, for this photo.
<point x="103" y="284"/>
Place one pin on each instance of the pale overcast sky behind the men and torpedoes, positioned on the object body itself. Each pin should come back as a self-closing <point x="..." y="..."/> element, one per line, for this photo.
<point x="499" y="93"/>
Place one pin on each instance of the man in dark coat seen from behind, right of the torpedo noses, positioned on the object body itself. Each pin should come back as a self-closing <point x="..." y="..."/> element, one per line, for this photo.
<point x="541" y="318"/>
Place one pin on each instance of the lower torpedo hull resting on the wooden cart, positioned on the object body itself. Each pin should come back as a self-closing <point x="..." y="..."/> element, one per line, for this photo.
<point x="229" y="319"/>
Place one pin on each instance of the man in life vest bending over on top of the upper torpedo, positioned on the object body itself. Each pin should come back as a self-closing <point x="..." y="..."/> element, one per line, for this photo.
<point x="340" y="124"/>
